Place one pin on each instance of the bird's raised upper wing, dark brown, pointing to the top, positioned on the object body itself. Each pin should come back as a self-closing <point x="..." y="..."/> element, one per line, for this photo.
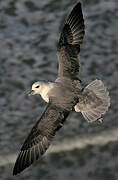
<point x="69" y="44"/>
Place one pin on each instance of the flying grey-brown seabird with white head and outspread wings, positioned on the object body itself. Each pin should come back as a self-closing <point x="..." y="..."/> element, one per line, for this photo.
<point x="63" y="95"/>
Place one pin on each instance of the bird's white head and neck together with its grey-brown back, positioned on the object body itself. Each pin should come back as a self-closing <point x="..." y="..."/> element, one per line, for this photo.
<point x="64" y="92"/>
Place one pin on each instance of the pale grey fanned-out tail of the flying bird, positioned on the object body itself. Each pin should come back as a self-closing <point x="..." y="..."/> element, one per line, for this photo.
<point x="94" y="102"/>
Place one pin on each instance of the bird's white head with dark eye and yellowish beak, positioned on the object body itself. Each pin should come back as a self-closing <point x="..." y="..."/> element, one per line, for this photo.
<point x="36" y="87"/>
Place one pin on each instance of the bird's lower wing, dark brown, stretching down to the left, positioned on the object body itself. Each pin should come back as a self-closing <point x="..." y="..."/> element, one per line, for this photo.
<point x="40" y="137"/>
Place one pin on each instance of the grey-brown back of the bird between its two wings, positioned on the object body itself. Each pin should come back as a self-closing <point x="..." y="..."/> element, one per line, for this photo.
<point x="65" y="93"/>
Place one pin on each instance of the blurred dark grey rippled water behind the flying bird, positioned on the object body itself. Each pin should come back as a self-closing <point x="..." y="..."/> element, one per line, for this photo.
<point x="29" y="32"/>
